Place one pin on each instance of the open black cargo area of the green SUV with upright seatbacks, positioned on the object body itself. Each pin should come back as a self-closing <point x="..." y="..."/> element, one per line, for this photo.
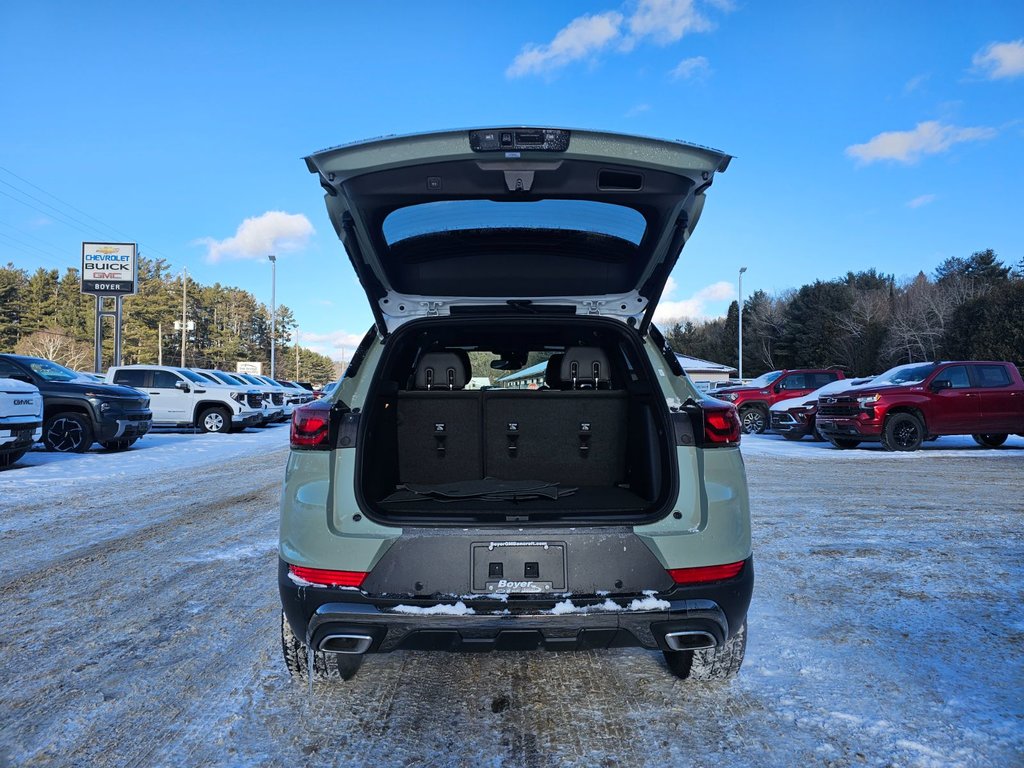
<point x="581" y="443"/>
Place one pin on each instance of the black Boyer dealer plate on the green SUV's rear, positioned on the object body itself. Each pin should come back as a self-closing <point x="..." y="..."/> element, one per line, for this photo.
<point x="511" y="568"/>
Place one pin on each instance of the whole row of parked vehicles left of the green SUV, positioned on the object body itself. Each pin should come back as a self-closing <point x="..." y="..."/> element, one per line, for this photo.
<point x="70" y="412"/>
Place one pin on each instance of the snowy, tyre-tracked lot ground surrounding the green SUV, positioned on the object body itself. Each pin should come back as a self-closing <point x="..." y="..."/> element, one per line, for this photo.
<point x="141" y="628"/>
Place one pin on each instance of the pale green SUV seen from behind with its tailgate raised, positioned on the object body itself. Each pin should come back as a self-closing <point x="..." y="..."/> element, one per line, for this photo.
<point x="600" y="502"/>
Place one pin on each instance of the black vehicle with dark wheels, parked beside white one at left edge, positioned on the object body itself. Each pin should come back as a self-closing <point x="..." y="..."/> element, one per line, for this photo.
<point x="78" y="413"/>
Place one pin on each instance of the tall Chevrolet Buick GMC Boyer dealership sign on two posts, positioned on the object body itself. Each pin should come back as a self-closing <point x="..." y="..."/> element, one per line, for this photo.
<point x="109" y="271"/>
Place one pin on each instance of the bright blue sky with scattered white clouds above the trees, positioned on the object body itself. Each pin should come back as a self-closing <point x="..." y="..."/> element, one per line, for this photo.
<point x="871" y="135"/>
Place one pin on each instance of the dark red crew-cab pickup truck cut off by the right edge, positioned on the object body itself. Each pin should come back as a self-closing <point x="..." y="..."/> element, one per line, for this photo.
<point x="911" y="404"/>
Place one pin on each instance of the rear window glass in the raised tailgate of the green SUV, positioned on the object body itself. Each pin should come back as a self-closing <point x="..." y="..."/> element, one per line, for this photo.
<point x="578" y="216"/>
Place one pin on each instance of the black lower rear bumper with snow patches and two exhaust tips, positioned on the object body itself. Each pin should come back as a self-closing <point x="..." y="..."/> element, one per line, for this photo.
<point x="684" y="618"/>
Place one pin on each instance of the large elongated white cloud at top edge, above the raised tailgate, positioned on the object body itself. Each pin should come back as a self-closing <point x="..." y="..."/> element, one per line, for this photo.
<point x="662" y="22"/>
